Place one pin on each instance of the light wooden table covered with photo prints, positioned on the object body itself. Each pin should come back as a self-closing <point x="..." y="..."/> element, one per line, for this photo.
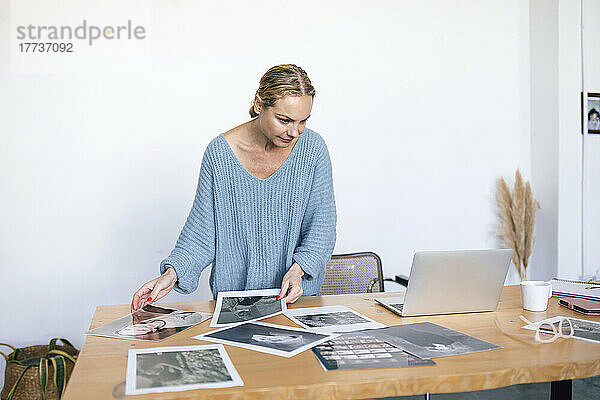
<point x="100" y="369"/>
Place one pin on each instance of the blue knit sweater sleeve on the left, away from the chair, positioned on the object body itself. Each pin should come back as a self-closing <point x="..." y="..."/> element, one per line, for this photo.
<point x="195" y="247"/>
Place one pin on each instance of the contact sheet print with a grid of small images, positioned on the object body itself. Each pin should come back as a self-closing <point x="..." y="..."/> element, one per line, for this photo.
<point x="361" y="350"/>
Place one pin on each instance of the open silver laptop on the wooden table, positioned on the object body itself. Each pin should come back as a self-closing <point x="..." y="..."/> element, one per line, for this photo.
<point x="449" y="282"/>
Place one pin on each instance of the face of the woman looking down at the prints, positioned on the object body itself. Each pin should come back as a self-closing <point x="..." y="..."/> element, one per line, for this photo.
<point x="283" y="123"/>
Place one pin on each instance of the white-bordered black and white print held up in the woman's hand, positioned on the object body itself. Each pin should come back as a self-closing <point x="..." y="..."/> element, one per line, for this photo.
<point x="245" y="306"/>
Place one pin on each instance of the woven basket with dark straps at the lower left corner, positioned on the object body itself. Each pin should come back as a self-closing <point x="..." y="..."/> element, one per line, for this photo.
<point x="29" y="388"/>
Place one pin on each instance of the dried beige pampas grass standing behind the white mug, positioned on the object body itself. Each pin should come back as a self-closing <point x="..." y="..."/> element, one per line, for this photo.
<point x="516" y="210"/>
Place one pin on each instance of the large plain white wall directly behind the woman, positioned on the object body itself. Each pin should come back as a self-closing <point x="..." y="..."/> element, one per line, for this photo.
<point x="423" y="104"/>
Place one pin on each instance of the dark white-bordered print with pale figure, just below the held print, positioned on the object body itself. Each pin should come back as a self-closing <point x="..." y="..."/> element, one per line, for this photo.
<point x="274" y="339"/>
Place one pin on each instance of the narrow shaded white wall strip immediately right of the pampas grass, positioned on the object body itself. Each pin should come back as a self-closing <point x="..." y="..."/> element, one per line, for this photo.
<point x="544" y="134"/>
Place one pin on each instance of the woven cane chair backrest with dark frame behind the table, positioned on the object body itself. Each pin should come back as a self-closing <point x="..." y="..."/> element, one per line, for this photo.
<point x="353" y="273"/>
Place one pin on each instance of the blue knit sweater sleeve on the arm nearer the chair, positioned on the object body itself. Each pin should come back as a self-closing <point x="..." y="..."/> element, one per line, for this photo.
<point x="317" y="233"/>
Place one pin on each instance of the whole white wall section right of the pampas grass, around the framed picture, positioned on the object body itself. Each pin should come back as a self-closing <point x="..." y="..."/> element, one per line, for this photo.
<point x="565" y="163"/>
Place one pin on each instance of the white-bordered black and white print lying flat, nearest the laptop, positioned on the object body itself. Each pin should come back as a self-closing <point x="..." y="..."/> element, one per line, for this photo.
<point x="331" y="319"/>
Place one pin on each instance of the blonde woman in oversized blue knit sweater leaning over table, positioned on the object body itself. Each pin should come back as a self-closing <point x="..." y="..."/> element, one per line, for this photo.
<point x="264" y="212"/>
